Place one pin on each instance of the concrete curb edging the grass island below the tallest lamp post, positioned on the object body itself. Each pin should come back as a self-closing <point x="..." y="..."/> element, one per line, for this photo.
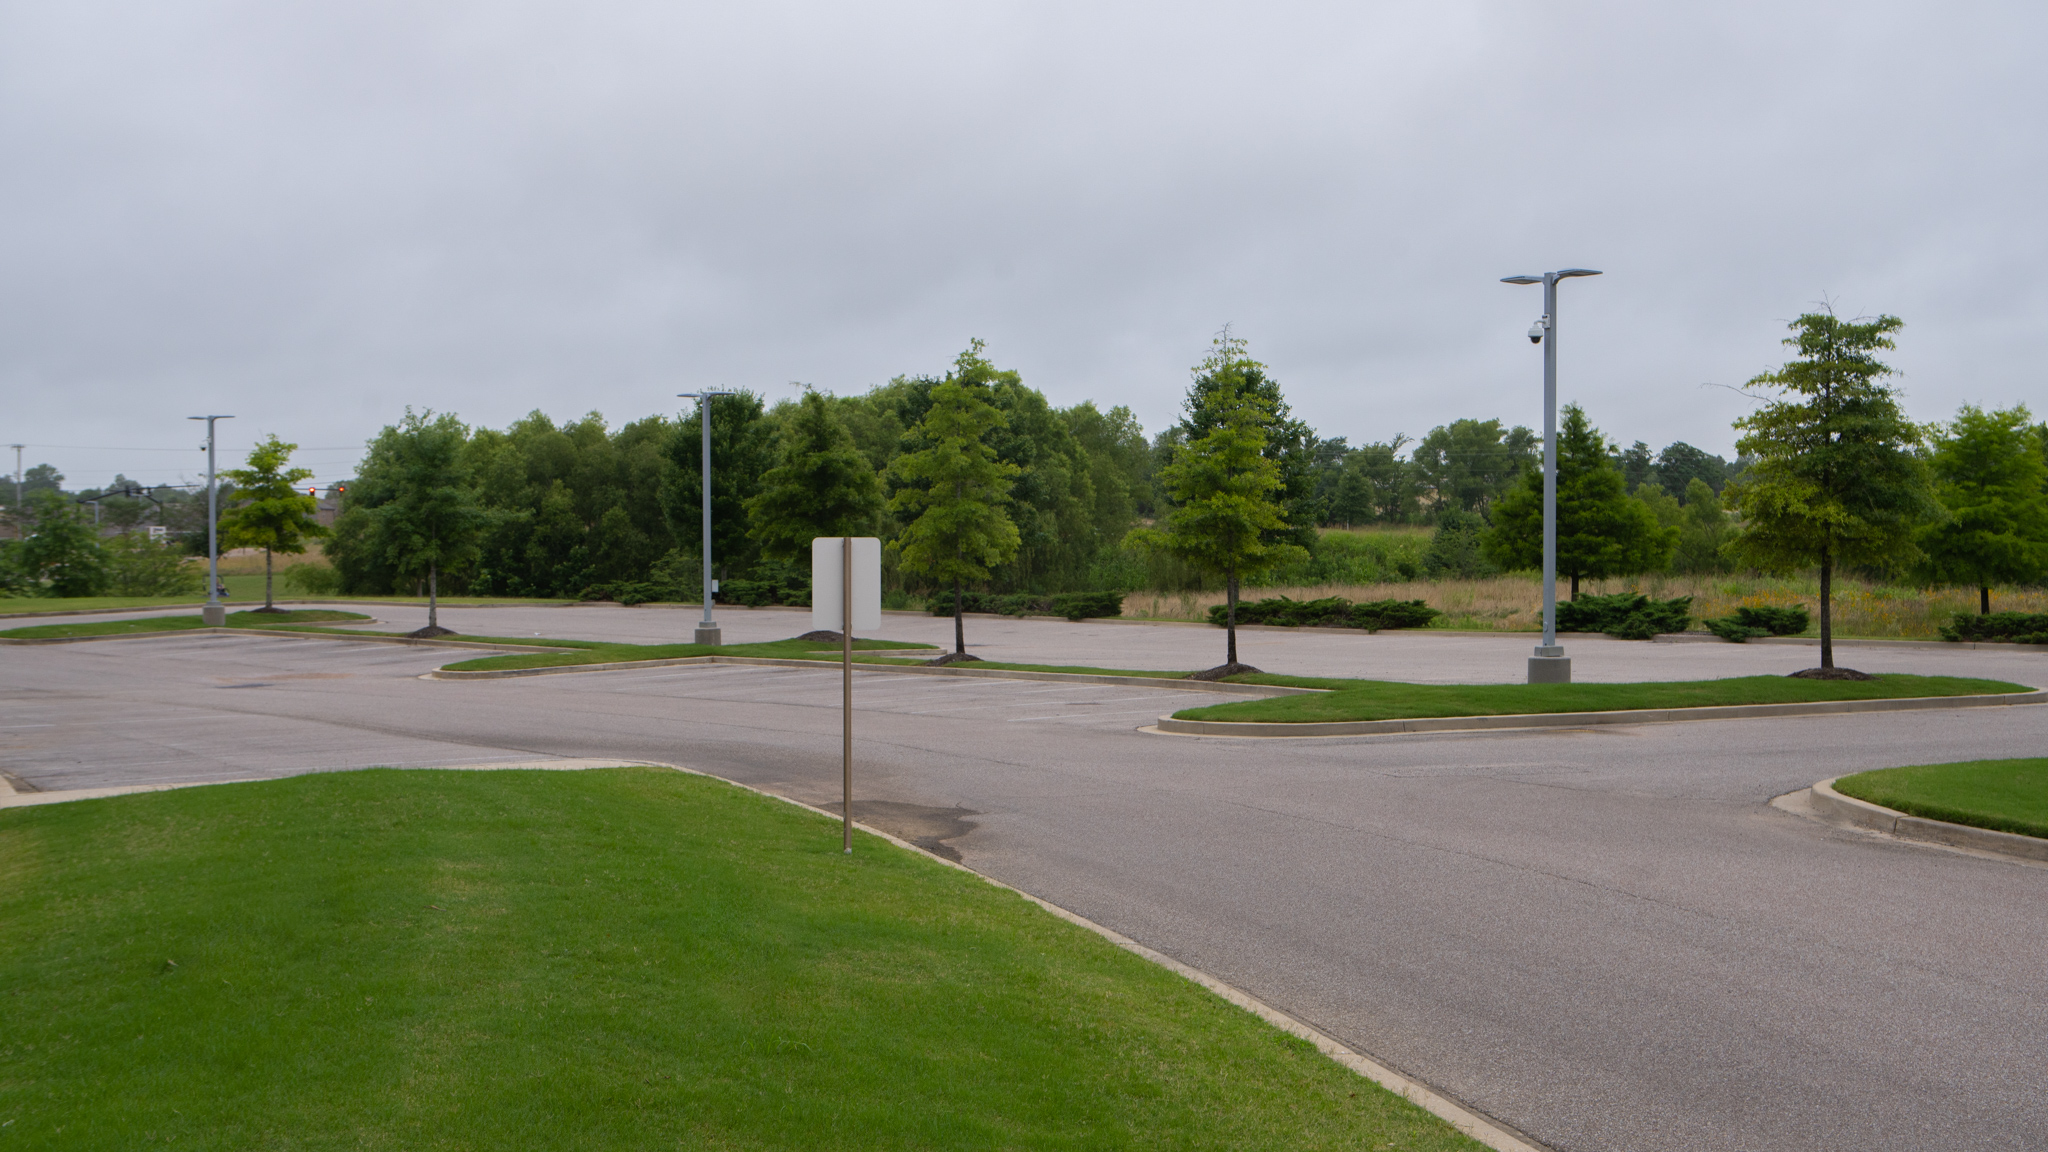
<point x="1576" y="718"/>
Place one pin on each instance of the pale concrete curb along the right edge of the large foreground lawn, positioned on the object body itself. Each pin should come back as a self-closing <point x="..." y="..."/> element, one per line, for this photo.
<point x="1482" y="1128"/>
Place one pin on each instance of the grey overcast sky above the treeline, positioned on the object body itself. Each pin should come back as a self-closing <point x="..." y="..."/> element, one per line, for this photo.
<point x="312" y="216"/>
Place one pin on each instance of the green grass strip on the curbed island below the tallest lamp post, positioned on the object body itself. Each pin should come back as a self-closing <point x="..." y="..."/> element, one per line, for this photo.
<point x="1388" y="700"/>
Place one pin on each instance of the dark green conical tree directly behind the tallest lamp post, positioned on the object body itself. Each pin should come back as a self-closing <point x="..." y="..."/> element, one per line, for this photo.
<point x="1601" y="528"/>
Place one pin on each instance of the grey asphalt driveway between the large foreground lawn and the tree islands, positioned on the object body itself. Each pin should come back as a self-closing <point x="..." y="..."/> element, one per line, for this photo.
<point x="1603" y="938"/>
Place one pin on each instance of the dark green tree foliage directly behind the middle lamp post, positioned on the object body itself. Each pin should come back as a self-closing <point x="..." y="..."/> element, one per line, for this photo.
<point x="744" y="446"/>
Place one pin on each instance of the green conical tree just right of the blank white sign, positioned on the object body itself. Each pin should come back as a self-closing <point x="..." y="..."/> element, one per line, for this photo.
<point x="953" y="497"/>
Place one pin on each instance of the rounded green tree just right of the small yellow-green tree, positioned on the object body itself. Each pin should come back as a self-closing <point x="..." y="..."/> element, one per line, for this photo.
<point x="433" y="520"/>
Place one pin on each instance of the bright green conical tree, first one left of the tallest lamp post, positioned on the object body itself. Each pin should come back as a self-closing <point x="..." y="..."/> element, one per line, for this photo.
<point x="1226" y="491"/>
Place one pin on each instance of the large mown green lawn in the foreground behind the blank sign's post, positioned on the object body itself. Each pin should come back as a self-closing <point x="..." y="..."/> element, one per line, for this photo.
<point x="624" y="958"/>
